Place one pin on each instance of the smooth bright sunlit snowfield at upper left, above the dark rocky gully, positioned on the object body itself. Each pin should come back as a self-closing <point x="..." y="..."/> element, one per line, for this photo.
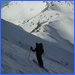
<point x="22" y="10"/>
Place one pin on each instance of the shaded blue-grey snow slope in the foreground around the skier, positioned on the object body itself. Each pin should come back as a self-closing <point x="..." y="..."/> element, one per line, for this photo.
<point x="55" y="57"/>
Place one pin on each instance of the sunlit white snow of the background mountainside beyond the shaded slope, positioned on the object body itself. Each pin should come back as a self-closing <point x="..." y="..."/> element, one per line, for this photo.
<point x="56" y="14"/>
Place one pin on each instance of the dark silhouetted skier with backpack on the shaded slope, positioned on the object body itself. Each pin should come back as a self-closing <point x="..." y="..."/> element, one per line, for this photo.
<point x="39" y="51"/>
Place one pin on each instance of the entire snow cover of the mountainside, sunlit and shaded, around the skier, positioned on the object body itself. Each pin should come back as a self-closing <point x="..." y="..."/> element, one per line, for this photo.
<point x="25" y="23"/>
